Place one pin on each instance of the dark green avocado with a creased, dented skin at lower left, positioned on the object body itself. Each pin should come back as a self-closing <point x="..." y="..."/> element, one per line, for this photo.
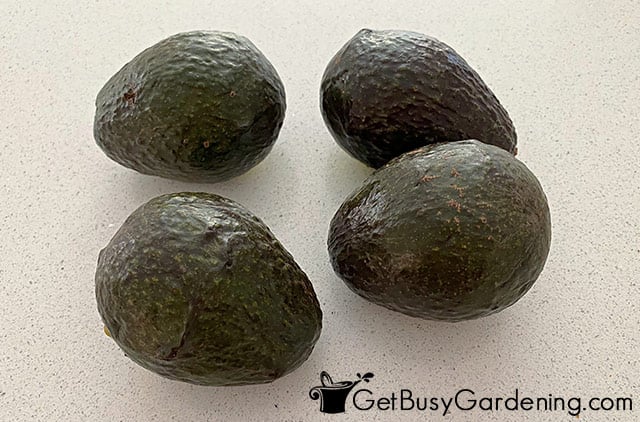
<point x="197" y="289"/>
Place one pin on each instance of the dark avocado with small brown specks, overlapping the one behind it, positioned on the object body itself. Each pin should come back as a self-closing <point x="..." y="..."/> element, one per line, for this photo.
<point x="452" y="232"/>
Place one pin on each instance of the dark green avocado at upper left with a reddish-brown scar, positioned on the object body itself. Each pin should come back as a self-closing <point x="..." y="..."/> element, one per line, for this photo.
<point x="200" y="106"/>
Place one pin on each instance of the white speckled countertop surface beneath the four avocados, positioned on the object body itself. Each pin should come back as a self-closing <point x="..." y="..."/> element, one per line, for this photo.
<point x="567" y="72"/>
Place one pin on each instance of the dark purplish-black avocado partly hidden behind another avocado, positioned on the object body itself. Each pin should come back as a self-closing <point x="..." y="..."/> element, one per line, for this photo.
<point x="388" y="92"/>
